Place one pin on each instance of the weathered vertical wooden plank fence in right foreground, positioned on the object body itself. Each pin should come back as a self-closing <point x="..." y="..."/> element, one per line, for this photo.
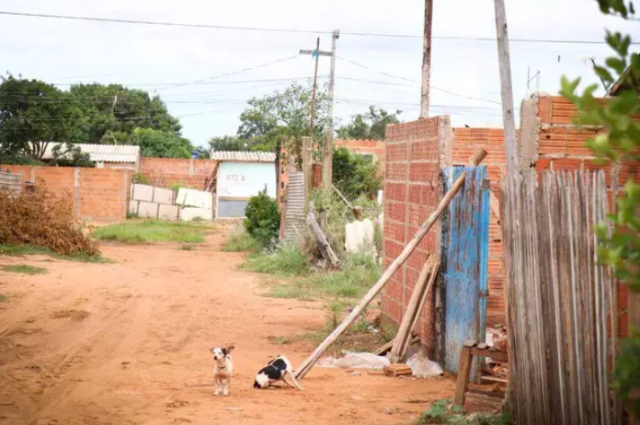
<point x="560" y="301"/>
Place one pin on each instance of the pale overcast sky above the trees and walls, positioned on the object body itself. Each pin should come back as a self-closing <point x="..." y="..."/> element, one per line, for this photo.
<point x="155" y="58"/>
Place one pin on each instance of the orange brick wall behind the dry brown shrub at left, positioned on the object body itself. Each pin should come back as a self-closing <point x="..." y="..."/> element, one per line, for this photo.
<point x="98" y="194"/>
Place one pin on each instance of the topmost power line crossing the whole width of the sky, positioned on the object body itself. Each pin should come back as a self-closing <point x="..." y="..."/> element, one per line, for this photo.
<point x="292" y="30"/>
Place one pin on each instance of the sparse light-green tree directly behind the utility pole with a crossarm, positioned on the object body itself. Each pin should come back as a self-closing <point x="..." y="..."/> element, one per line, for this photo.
<point x="283" y="118"/>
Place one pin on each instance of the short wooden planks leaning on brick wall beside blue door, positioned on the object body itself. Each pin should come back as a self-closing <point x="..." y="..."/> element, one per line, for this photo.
<point x="411" y="315"/>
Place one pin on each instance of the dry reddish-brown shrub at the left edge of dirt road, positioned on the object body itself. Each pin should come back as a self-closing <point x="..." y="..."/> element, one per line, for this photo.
<point x="43" y="219"/>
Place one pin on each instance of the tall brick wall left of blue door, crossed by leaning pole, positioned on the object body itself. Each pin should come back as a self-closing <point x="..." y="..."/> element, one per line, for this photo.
<point x="413" y="188"/>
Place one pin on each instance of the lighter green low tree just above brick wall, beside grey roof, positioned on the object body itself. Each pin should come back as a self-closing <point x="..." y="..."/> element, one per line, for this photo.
<point x="160" y="144"/>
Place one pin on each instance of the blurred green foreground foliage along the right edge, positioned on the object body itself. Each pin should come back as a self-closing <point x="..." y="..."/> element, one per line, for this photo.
<point x="619" y="143"/>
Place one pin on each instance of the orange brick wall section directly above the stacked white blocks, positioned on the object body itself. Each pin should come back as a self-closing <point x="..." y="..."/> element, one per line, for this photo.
<point x="165" y="172"/>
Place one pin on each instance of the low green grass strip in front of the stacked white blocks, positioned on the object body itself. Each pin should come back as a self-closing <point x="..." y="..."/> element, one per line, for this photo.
<point x="149" y="231"/>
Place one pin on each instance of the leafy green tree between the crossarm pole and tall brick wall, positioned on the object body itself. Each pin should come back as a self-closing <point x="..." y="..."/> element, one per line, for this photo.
<point x="355" y="175"/>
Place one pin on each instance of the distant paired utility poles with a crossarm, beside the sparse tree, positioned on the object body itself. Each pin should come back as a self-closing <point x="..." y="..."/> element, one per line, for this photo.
<point x="327" y="163"/>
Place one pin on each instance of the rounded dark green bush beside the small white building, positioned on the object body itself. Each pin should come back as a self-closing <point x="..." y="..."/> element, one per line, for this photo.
<point x="263" y="218"/>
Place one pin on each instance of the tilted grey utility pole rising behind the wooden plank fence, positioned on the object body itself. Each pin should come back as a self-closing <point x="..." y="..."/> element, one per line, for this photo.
<point x="510" y="143"/>
